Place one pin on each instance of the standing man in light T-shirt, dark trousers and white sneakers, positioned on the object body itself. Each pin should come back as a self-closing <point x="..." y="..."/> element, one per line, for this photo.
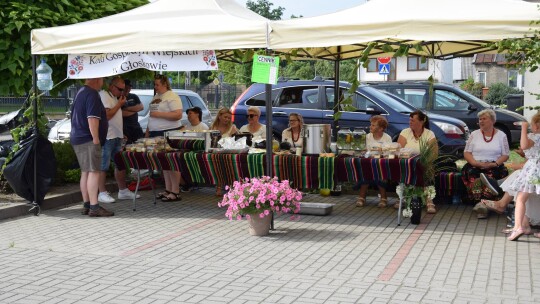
<point x="113" y="100"/>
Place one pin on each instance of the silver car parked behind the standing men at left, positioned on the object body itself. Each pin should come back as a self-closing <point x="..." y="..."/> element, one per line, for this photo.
<point x="189" y="99"/>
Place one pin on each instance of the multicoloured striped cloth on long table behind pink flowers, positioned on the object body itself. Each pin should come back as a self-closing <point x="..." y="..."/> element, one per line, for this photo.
<point x="305" y="172"/>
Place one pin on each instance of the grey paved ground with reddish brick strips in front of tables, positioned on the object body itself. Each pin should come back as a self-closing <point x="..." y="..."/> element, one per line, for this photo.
<point x="188" y="252"/>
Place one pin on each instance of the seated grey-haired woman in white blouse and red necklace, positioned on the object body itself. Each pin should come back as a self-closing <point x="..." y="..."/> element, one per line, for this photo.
<point x="486" y="151"/>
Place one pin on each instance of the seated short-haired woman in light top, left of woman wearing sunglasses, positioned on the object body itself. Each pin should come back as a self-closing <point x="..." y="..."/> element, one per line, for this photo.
<point x="376" y="136"/>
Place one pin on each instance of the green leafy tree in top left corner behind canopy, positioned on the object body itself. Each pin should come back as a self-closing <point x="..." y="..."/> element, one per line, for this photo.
<point x="20" y="17"/>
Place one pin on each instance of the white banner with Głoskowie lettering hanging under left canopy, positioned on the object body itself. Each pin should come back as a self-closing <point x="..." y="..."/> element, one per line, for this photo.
<point x="83" y="66"/>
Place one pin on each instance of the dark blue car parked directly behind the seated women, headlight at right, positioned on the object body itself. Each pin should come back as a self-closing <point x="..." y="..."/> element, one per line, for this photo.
<point x="314" y="100"/>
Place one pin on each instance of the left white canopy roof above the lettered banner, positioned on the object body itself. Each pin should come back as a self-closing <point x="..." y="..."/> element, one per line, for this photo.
<point x="164" y="25"/>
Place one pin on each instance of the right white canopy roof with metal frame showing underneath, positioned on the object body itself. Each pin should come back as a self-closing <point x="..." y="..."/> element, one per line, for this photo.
<point x="446" y="28"/>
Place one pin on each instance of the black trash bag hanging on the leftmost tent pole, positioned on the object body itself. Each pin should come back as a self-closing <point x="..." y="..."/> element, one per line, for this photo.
<point x="19" y="172"/>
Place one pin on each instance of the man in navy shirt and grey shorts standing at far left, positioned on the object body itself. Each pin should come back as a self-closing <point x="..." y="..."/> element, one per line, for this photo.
<point x="88" y="133"/>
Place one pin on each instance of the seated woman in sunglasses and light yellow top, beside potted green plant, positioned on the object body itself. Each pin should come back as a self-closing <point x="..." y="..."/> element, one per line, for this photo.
<point x="411" y="137"/>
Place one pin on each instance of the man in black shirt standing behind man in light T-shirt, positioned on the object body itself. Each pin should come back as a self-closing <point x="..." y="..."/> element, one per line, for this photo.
<point x="132" y="129"/>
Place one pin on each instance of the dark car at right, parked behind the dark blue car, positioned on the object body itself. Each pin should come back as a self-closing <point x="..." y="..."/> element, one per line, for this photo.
<point x="452" y="101"/>
